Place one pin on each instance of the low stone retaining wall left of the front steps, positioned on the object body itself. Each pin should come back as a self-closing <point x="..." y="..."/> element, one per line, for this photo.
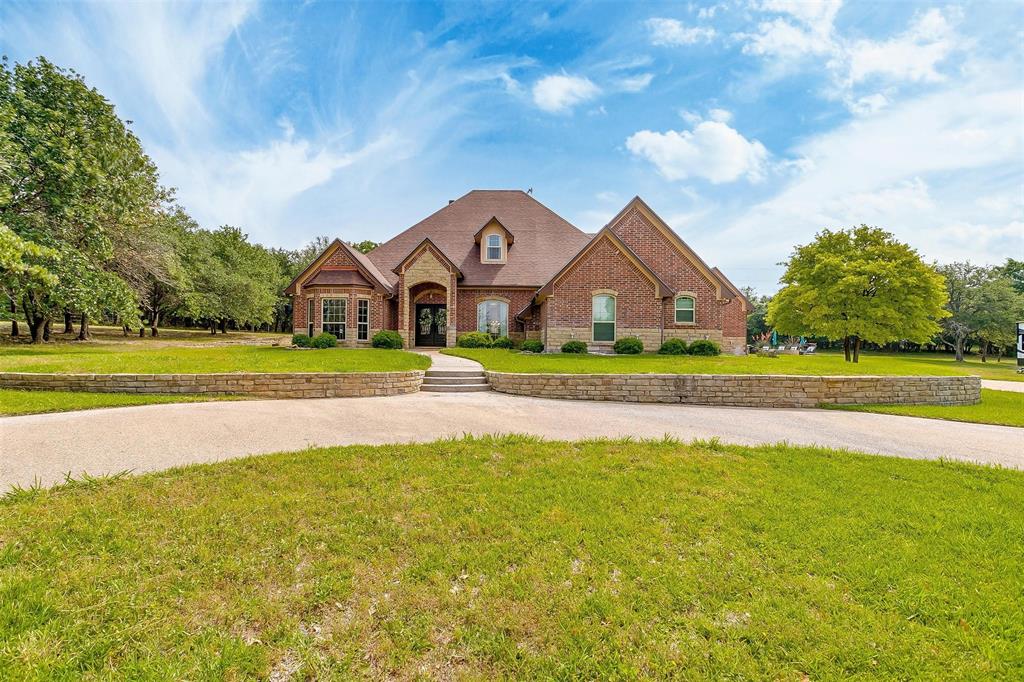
<point x="313" y="385"/>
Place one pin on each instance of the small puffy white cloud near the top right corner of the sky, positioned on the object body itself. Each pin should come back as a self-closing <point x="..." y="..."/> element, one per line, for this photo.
<point x="913" y="56"/>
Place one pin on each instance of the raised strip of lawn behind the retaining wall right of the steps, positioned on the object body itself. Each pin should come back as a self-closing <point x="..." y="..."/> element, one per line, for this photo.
<point x="824" y="364"/>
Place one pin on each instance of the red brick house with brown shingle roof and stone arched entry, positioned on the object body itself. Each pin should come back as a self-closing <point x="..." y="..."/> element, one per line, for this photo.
<point x="503" y="263"/>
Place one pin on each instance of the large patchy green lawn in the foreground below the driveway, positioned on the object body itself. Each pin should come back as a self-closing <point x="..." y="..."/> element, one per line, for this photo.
<point x="514" y="558"/>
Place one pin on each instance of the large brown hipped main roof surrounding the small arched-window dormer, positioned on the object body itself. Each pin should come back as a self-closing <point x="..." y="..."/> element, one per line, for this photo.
<point x="544" y="241"/>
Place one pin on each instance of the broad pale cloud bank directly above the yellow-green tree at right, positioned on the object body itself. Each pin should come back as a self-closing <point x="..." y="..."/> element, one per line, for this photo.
<point x="916" y="168"/>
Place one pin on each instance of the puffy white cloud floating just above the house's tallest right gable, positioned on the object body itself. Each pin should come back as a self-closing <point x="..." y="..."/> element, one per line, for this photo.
<point x="712" y="150"/>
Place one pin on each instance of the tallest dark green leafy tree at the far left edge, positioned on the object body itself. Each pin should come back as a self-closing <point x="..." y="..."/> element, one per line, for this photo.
<point x="76" y="183"/>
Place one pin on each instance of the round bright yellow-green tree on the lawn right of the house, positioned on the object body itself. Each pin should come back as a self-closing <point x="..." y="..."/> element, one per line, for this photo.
<point x="859" y="285"/>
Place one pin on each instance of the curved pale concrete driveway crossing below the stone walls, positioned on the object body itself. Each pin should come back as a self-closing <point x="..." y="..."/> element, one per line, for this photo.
<point x="45" y="448"/>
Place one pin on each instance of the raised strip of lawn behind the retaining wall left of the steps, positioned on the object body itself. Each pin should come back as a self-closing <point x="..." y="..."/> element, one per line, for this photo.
<point x="105" y="359"/>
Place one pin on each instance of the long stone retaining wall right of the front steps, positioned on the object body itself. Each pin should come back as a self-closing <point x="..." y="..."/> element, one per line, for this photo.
<point x="743" y="391"/>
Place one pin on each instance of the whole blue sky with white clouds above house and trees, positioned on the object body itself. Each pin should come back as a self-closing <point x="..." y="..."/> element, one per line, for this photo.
<point x="747" y="125"/>
